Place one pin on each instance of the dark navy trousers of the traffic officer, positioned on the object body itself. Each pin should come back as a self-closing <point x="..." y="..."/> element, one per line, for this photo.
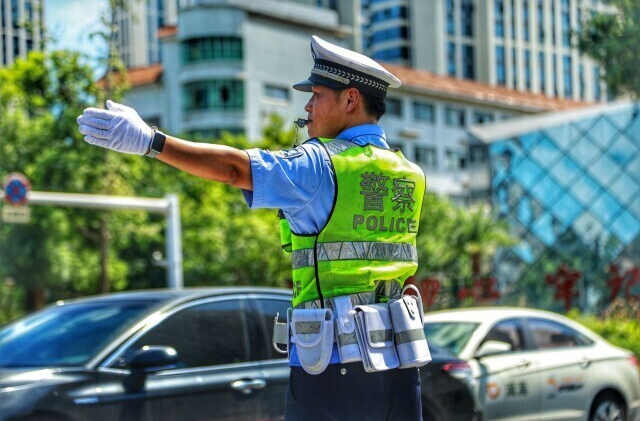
<point x="345" y="392"/>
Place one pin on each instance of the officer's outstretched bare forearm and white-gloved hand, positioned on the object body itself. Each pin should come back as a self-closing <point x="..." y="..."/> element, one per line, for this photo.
<point x="121" y="129"/>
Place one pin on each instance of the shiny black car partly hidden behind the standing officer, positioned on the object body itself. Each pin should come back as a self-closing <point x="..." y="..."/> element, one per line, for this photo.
<point x="193" y="354"/>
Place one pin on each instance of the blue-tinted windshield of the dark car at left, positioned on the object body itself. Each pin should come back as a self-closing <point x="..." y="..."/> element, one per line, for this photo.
<point x="66" y="335"/>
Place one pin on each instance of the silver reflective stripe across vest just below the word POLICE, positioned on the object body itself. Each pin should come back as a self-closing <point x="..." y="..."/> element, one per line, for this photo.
<point x="349" y="250"/>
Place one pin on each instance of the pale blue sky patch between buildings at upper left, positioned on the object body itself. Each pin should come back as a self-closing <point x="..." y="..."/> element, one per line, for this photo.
<point x="70" y="22"/>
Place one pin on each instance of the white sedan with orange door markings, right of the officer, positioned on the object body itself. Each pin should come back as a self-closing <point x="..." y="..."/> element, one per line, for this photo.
<point x="536" y="365"/>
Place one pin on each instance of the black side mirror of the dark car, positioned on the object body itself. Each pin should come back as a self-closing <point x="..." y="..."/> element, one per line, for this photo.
<point x="149" y="359"/>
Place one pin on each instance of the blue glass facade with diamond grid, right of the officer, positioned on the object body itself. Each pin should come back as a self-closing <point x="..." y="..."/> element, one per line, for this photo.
<point x="570" y="194"/>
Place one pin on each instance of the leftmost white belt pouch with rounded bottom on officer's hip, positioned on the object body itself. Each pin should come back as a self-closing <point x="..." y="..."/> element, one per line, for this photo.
<point x="312" y="332"/>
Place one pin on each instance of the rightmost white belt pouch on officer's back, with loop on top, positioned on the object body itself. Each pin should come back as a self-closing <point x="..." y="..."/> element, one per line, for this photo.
<point x="408" y="328"/>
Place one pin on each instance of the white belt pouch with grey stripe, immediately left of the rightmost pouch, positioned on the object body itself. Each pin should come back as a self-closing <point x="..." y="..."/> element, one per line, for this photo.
<point x="375" y="337"/>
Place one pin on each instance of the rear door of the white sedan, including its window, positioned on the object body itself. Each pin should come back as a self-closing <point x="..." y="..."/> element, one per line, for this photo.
<point x="565" y="368"/>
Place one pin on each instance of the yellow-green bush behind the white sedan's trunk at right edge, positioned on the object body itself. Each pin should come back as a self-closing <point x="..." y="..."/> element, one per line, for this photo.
<point x="620" y="324"/>
